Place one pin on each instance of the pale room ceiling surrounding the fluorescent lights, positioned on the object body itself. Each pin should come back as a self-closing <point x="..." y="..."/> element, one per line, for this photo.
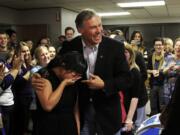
<point x="171" y="9"/>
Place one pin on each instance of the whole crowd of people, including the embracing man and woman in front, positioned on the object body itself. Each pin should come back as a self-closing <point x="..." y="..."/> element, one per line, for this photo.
<point x="92" y="84"/>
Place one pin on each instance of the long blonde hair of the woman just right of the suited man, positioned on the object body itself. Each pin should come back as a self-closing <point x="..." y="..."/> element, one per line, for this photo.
<point x="132" y="63"/>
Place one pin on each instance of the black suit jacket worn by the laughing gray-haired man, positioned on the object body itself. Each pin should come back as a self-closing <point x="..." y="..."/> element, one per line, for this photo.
<point x="112" y="67"/>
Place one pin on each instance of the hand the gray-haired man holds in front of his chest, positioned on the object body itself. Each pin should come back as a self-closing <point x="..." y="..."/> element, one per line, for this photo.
<point x="95" y="82"/>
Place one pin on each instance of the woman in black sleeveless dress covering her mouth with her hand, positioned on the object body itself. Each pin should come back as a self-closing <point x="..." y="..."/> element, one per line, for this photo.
<point x="57" y="111"/>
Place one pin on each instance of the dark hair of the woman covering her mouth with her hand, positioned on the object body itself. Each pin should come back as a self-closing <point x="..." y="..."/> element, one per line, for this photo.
<point x="70" y="61"/>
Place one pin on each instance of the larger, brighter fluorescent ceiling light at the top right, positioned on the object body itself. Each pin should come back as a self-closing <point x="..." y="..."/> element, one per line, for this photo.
<point x="141" y="4"/>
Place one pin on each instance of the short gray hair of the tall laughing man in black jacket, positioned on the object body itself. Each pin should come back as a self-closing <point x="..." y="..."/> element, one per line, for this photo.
<point x="84" y="15"/>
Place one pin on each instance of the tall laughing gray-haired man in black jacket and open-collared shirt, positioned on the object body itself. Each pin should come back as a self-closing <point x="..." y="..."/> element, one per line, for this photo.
<point x="107" y="74"/>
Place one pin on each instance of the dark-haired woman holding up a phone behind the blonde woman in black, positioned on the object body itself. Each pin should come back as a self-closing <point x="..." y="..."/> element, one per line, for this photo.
<point x="136" y="42"/>
